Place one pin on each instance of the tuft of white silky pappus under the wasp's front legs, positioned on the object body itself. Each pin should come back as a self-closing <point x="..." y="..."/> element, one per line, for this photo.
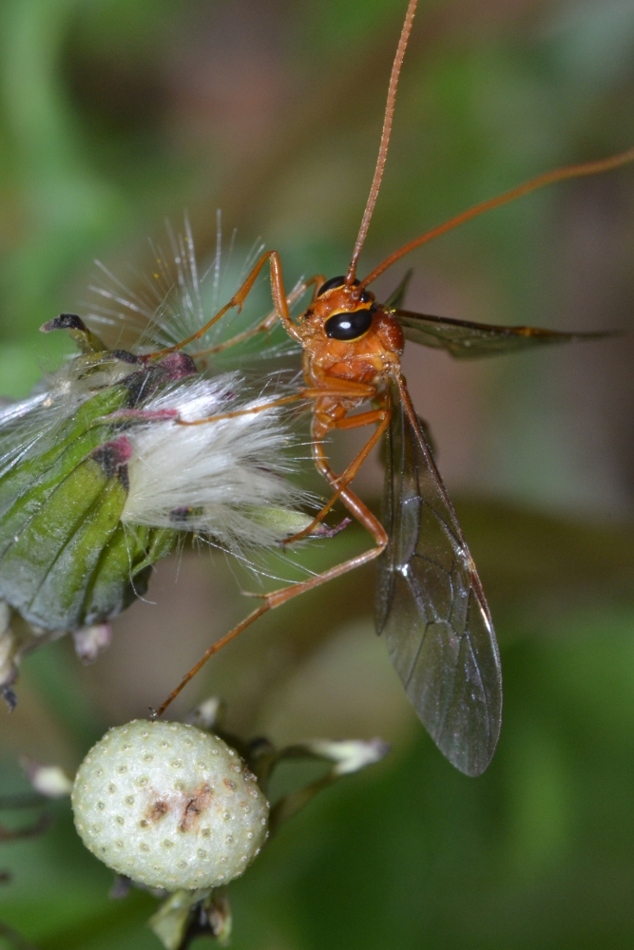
<point x="225" y="478"/>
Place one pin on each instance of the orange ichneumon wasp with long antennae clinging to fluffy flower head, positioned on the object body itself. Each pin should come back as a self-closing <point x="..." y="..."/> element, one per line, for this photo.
<point x="430" y="604"/>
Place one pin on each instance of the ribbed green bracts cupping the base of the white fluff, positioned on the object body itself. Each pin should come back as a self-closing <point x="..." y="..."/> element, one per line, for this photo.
<point x="66" y="560"/>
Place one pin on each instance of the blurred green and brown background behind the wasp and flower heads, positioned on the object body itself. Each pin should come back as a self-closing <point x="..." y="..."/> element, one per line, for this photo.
<point x="115" y="116"/>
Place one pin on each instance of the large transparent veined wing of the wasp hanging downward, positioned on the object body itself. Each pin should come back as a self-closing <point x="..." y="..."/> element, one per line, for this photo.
<point x="430" y="604"/>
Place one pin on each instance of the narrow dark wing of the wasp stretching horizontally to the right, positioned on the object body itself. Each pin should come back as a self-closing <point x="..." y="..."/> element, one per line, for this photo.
<point x="466" y="340"/>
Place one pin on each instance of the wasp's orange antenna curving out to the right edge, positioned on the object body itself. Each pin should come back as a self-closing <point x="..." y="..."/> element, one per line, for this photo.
<point x="547" y="178"/>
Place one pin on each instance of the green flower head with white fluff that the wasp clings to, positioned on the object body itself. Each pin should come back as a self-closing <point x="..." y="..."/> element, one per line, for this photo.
<point x="103" y="471"/>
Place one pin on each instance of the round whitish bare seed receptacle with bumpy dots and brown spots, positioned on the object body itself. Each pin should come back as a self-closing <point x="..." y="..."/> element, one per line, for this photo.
<point x="169" y="805"/>
